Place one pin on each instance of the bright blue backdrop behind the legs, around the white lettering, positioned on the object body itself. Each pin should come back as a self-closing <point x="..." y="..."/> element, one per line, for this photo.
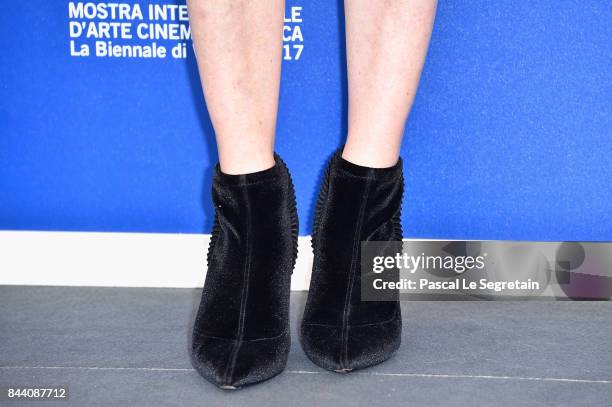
<point x="509" y="138"/>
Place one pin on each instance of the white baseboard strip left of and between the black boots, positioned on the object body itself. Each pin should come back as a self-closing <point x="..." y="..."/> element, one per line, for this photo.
<point x="116" y="259"/>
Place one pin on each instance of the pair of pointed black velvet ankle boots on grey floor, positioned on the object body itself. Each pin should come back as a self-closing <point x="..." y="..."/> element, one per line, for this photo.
<point x="241" y="333"/>
